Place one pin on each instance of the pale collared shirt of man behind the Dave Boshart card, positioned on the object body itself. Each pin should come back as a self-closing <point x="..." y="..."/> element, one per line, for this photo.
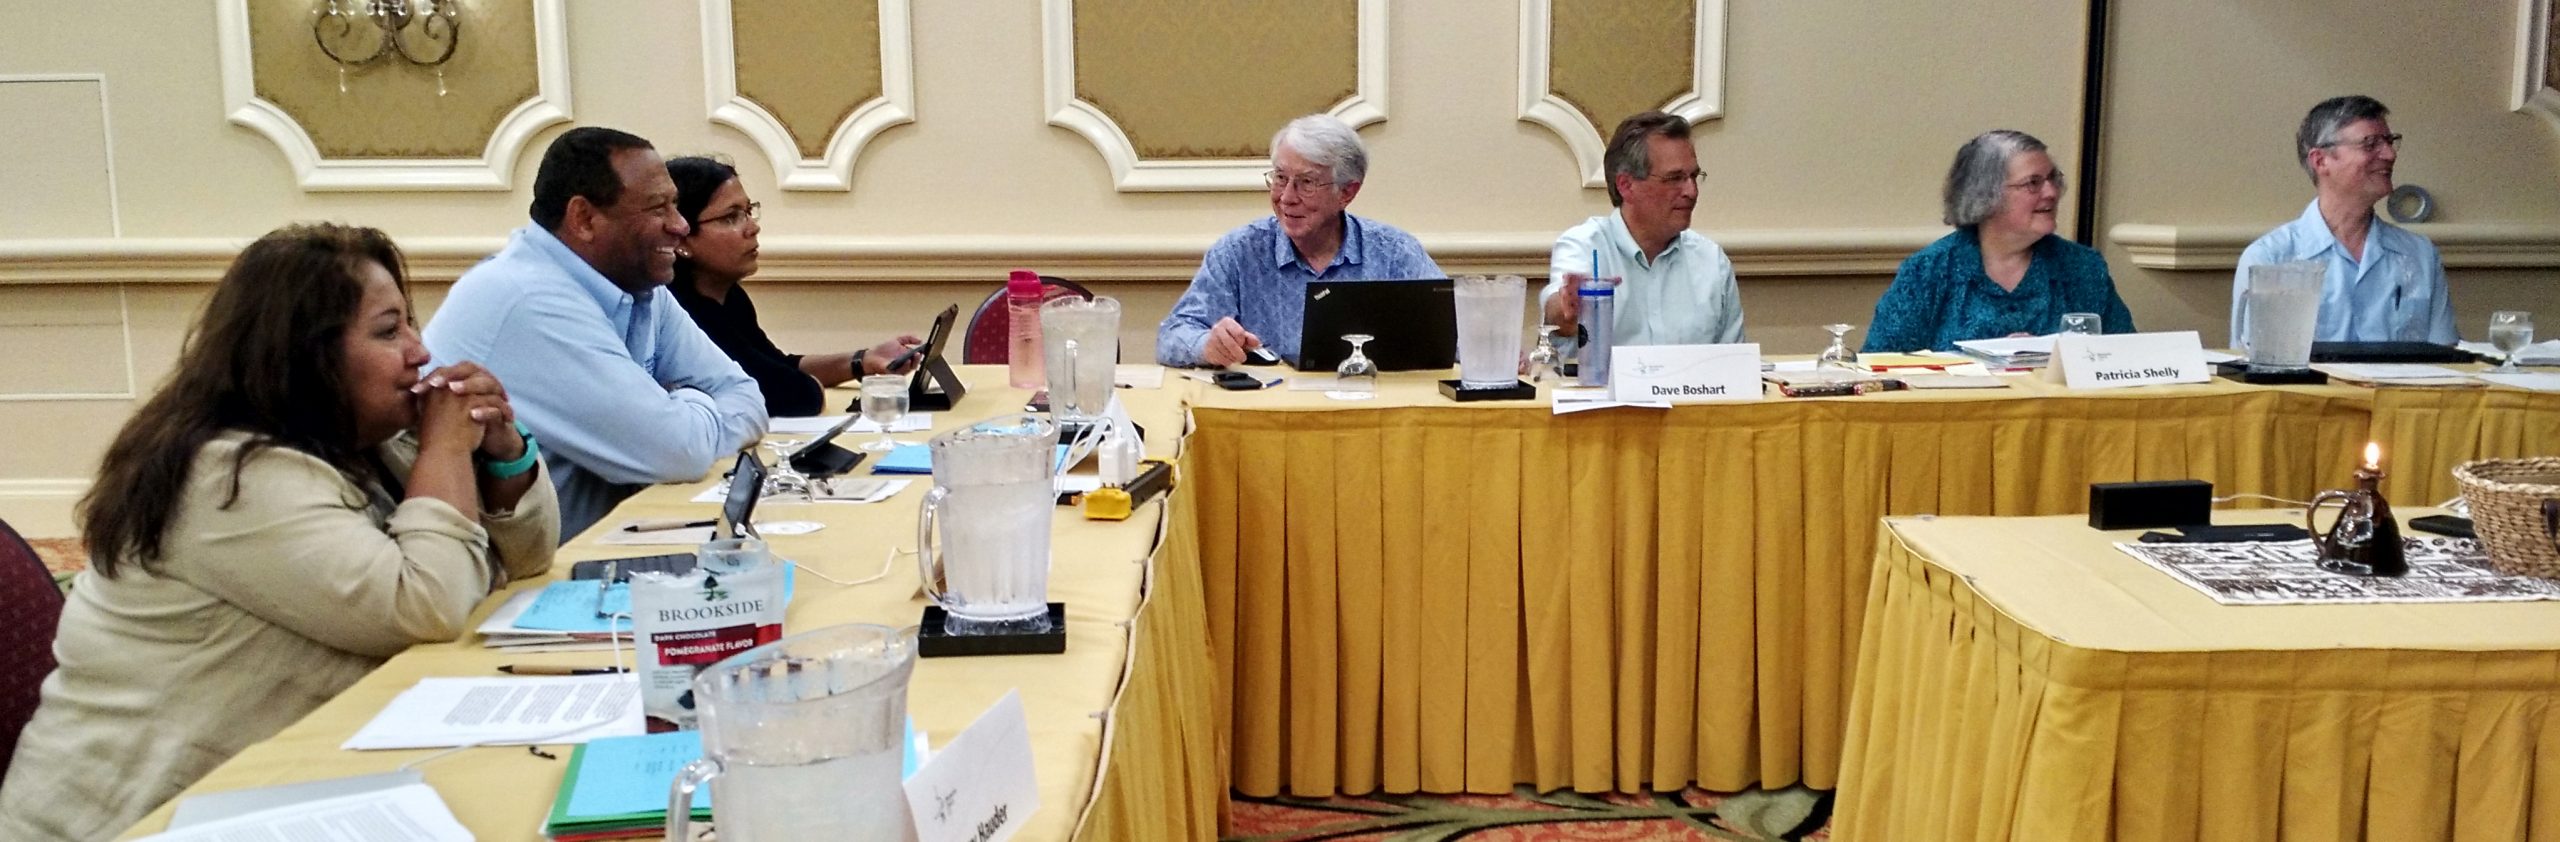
<point x="1681" y="298"/>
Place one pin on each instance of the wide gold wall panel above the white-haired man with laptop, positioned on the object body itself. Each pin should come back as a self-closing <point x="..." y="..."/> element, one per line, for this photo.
<point x="1215" y="78"/>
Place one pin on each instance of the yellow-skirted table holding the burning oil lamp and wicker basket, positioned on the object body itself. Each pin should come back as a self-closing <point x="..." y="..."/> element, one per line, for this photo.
<point x="1978" y="726"/>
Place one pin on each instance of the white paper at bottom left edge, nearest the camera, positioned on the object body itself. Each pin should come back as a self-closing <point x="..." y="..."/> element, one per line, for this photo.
<point x="390" y="815"/>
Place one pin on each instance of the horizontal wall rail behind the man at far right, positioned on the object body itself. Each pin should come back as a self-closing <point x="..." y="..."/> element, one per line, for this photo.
<point x="2461" y="247"/>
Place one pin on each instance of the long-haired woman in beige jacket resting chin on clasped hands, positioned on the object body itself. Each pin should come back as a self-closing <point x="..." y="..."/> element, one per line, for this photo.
<point x="296" y="505"/>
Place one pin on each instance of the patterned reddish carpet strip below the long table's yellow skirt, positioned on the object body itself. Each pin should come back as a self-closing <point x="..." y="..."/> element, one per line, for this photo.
<point x="1542" y="818"/>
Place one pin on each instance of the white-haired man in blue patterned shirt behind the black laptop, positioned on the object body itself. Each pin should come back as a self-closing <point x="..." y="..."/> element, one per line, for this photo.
<point x="1251" y="290"/>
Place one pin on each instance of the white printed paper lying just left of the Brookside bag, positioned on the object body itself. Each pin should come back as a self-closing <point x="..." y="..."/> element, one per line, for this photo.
<point x="442" y="713"/>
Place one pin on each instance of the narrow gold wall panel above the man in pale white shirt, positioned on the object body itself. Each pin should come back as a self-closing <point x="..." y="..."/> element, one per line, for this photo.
<point x="1624" y="58"/>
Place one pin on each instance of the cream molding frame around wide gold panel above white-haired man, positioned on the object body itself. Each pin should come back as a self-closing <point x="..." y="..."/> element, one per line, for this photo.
<point x="1197" y="175"/>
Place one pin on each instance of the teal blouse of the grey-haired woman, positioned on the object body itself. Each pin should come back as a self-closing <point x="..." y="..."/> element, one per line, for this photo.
<point x="1942" y="296"/>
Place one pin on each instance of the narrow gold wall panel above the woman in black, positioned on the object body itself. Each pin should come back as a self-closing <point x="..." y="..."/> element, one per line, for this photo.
<point x="808" y="63"/>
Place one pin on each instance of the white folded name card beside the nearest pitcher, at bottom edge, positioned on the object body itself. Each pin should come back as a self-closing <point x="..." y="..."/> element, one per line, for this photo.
<point x="979" y="787"/>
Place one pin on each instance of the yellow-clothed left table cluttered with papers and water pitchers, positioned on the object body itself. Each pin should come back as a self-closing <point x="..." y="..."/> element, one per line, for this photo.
<point x="1123" y="731"/>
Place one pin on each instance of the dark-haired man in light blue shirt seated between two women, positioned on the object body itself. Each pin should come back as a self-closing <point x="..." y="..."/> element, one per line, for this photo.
<point x="598" y="357"/>
